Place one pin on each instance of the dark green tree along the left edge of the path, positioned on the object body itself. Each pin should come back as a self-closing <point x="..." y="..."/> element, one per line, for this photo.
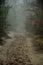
<point x="3" y="22"/>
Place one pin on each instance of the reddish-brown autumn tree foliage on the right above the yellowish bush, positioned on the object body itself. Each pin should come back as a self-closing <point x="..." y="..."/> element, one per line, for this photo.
<point x="38" y="18"/>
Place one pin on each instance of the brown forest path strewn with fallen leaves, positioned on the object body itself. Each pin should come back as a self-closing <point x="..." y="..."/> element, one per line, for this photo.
<point x="20" y="50"/>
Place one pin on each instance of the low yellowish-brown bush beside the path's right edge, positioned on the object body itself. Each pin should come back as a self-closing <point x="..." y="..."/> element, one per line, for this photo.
<point x="38" y="42"/>
